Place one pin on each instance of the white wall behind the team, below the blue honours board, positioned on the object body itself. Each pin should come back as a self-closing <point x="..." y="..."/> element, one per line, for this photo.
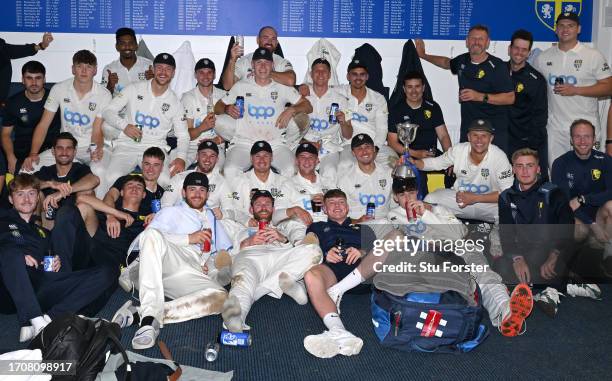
<point x="57" y="58"/>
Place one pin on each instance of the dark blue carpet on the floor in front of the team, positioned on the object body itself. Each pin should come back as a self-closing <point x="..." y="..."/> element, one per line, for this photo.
<point x="575" y="345"/>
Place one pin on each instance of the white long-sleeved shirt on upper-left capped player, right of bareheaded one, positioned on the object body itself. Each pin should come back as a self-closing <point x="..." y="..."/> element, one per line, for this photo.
<point x="156" y="115"/>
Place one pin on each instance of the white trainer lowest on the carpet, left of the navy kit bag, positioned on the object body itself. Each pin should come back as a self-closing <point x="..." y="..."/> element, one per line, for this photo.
<point x="333" y="342"/>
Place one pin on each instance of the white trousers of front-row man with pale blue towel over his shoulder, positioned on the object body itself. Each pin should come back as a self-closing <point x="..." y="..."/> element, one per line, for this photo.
<point x="168" y="270"/>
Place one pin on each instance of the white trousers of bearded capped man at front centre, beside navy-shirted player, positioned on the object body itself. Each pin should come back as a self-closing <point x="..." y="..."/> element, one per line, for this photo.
<point x="256" y="269"/>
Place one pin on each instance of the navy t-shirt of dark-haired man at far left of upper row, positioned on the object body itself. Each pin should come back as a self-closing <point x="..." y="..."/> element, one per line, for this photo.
<point x="23" y="115"/>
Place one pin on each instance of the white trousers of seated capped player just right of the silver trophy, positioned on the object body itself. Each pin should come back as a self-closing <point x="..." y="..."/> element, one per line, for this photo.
<point x="480" y="211"/>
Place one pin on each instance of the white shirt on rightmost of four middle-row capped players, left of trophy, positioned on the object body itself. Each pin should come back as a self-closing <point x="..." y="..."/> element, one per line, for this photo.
<point x="362" y="188"/>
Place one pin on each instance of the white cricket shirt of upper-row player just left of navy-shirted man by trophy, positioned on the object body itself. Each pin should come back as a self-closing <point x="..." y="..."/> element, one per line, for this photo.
<point x="370" y="116"/>
